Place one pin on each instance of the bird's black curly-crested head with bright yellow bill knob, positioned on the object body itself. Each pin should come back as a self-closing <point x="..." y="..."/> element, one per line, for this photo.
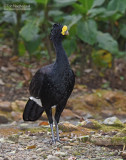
<point x="58" y="32"/>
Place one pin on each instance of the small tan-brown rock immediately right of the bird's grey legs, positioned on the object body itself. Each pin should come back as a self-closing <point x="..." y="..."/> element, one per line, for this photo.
<point x="67" y="127"/>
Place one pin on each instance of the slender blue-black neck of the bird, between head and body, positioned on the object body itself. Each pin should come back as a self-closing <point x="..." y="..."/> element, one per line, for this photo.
<point x="61" y="56"/>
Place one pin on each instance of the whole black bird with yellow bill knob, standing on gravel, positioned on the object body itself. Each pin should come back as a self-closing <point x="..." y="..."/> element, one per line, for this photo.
<point x="51" y="85"/>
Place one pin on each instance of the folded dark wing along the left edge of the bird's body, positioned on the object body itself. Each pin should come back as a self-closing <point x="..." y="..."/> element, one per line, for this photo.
<point x="36" y="84"/>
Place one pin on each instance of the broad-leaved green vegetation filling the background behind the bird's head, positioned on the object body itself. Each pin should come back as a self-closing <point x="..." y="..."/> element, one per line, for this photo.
<point x="97" y="28"/>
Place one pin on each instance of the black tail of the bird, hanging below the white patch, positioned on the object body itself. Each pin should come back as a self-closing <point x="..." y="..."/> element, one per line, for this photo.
<point x="32" y="111"/>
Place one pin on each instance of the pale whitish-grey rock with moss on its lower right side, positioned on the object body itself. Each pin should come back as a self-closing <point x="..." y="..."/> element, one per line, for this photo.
<point x="113" y="121"/>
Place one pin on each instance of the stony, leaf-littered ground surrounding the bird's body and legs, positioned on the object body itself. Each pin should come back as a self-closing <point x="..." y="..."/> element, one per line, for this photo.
<point x="87" y="105"/>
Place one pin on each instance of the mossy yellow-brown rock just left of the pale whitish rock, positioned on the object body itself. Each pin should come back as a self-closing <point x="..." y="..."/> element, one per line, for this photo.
<point x="93" y="124"/>
